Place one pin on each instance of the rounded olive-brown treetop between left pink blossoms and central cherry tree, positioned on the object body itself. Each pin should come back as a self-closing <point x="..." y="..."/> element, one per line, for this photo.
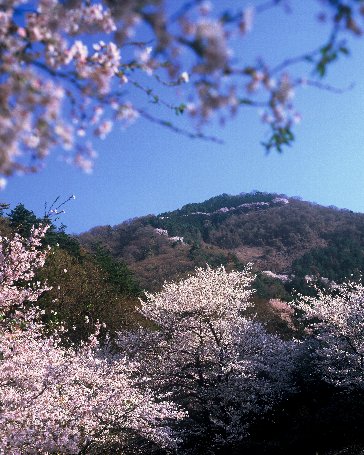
<point x="81" y="294"/>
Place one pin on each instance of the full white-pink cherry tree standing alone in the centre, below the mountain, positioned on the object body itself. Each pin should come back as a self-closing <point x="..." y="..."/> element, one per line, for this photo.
<point x="222" y="366"/>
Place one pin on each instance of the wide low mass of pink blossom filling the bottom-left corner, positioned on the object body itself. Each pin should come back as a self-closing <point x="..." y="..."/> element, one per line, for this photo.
<point x="54" y="399"/>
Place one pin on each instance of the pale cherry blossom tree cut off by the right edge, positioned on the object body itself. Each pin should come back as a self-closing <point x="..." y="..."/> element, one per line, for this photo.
<point x="336" y="319"/>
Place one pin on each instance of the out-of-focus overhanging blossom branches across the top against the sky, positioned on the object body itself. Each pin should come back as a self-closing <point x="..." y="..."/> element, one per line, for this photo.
<point x="71" y="68"/>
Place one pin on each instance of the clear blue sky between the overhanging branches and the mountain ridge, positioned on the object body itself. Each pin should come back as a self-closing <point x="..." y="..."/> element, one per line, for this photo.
<point x="147" y="169"/>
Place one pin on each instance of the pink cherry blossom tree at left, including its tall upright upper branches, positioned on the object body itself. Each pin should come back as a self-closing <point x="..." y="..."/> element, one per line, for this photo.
<point x="56" y="399"/>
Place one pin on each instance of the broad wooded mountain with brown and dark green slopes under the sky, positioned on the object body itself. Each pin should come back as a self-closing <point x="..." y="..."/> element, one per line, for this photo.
<point x="286" y="237"/>
